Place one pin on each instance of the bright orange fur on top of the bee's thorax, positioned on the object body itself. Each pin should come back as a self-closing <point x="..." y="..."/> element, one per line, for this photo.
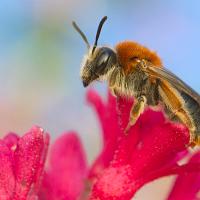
<point x="129" y="51"/>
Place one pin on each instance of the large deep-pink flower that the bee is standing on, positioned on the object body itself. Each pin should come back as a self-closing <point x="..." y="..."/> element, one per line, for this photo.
<point x="151" y="150"/>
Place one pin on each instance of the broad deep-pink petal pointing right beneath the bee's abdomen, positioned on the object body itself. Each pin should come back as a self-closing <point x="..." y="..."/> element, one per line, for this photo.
<point x="159" y="148"/>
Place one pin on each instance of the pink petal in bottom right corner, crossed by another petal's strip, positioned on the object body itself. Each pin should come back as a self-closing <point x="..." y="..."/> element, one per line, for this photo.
<point x="187" y="185"/>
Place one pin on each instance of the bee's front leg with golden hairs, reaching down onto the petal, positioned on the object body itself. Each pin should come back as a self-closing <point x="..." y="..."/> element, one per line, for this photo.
<point x="135" y="112"/>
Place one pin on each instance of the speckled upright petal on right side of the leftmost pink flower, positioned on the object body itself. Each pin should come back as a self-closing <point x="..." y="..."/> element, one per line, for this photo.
<point x="28" y="156"/>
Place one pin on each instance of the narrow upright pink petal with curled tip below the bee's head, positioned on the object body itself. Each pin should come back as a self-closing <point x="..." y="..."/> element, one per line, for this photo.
<point x="108" y="117"/>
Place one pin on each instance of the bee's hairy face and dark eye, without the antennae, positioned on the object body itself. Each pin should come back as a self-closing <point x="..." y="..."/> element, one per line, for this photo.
<point x="97" y="64"/>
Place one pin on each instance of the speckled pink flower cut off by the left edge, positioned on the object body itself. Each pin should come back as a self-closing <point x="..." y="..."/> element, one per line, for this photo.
<point x="21" y="164"/>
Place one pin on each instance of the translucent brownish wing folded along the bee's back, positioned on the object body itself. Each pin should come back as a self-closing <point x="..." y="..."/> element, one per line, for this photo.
<point x="165" y="74"/>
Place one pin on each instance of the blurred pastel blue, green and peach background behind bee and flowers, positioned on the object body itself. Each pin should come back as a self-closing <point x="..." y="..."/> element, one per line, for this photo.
<point x="40" y="56"/>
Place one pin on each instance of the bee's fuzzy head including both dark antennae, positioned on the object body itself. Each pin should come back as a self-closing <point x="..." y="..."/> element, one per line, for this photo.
<point x="98" y="61"/>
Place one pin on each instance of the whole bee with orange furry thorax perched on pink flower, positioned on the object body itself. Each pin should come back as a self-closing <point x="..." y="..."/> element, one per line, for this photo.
<point x="134" y="71"/>
